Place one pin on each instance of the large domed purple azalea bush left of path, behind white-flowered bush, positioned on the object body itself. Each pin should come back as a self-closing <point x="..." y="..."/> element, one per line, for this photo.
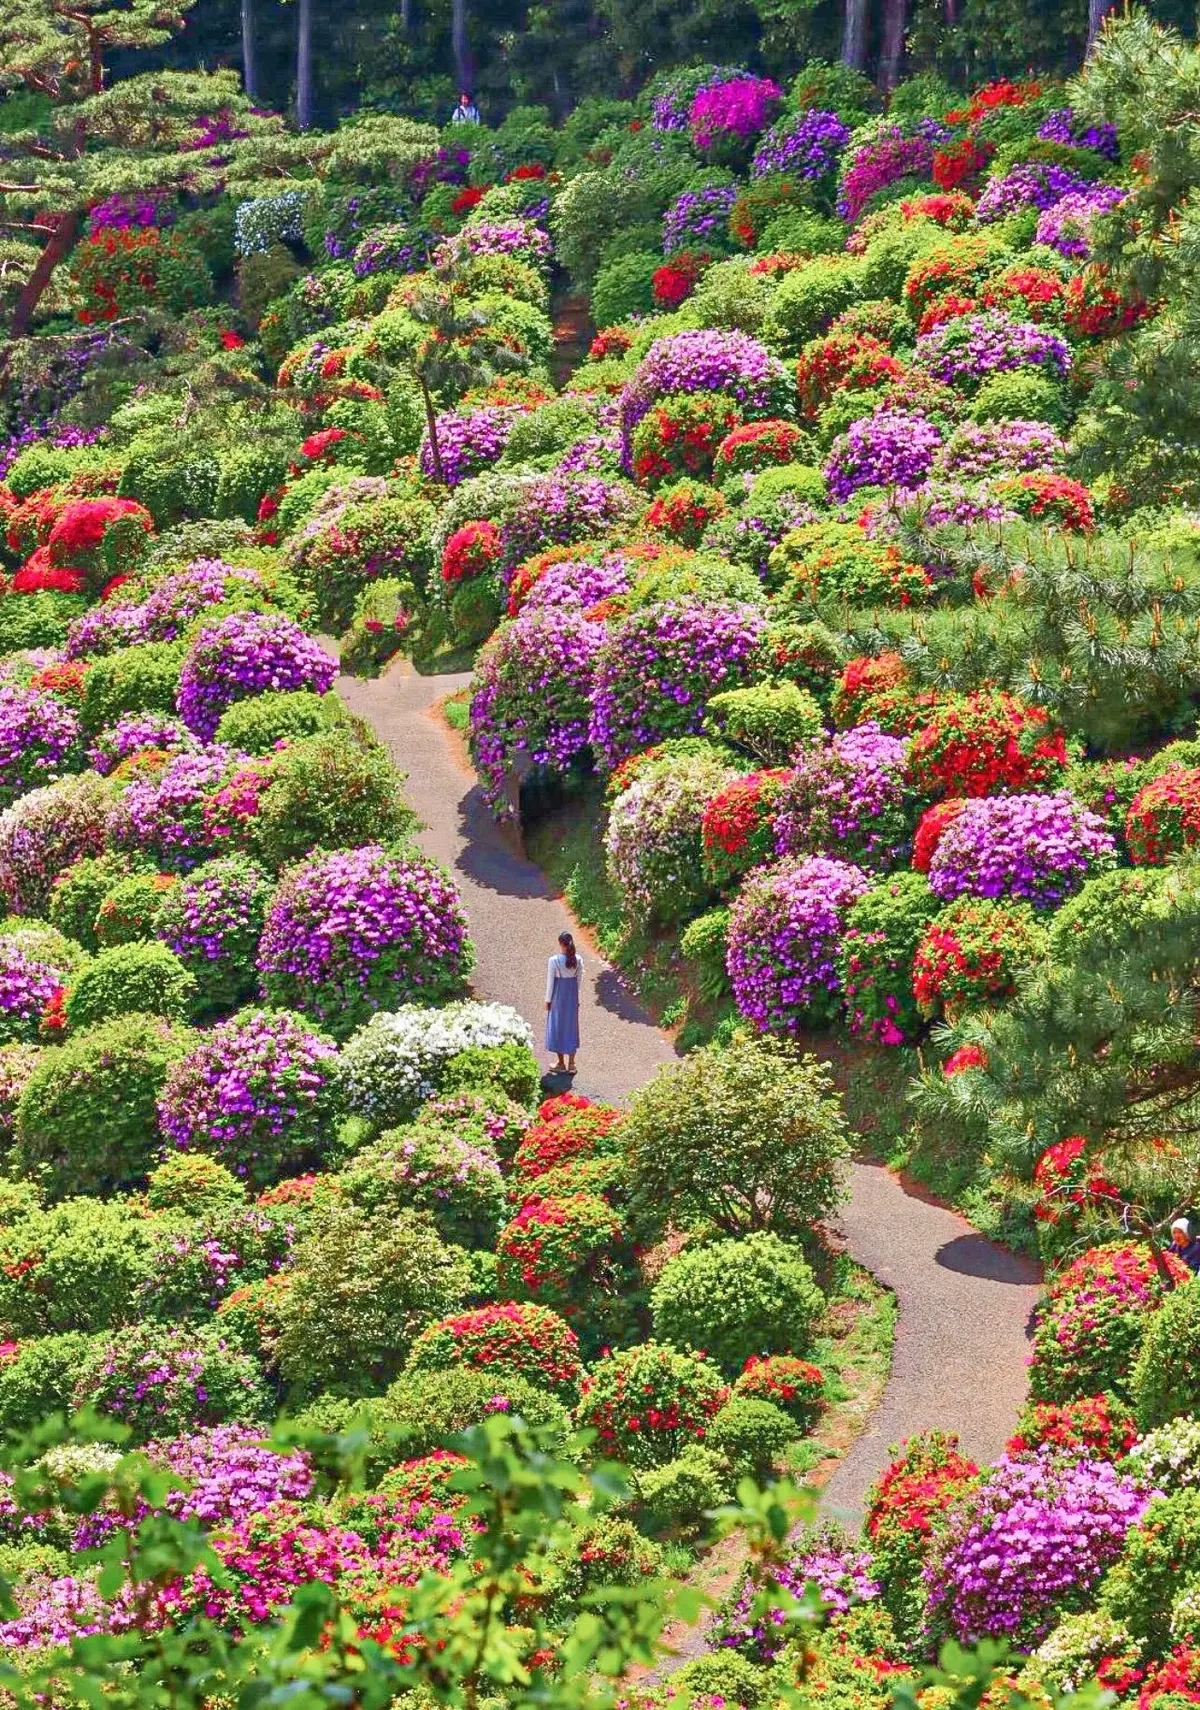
<point x="356" y="931"/>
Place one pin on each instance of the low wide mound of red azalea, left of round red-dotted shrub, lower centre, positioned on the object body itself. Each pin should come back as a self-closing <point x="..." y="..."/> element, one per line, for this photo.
<point x="509" y="1340"/>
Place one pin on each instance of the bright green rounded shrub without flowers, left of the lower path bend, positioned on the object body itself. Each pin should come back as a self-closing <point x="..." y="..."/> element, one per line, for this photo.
<point x="738" y="1299"/>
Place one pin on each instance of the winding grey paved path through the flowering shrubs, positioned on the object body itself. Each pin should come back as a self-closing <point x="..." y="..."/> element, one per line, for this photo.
<point x="963" y="1304"/>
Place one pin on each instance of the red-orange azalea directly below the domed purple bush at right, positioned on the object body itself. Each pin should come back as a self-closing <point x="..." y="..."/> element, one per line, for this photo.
<point x="970" y="955"/>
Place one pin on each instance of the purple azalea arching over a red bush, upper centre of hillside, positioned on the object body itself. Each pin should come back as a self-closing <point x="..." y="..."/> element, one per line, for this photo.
<point x="705" y="362"/>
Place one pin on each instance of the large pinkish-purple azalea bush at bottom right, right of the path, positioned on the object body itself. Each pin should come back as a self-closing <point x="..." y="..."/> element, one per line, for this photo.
<point x="1028" y="1545"/>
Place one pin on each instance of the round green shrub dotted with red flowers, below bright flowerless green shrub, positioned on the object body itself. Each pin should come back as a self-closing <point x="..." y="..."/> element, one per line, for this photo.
<point x="649" y="1403"/>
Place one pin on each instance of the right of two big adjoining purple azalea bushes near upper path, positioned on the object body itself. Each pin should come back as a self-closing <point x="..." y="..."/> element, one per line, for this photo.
<point x="661" y="666"/>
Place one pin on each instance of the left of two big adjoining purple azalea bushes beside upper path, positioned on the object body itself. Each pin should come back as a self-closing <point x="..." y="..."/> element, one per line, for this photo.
<point x="532" y="692"/>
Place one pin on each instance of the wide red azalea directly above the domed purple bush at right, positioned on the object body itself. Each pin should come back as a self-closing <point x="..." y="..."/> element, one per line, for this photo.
<point x="984" y="743"/>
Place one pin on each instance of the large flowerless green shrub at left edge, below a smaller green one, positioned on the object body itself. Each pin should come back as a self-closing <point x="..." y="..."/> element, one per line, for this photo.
<point x="88" y="1119"/>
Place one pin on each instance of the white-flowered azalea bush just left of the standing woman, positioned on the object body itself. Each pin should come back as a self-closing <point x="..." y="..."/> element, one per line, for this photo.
<point x="392" y="1064"/>
